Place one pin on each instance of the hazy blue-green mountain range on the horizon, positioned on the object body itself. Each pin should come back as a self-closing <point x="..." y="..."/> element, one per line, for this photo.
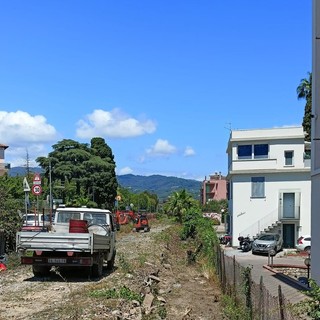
<point x="162" y="186"/>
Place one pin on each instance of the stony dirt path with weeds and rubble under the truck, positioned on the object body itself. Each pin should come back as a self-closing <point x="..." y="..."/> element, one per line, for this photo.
<point x="145" y="267"/>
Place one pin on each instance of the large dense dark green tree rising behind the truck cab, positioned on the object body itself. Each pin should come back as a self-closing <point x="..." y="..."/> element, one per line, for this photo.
<point x="85" y="174"/>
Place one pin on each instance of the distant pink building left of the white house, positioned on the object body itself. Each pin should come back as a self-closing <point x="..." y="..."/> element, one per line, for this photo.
<point x="214" y="189"/>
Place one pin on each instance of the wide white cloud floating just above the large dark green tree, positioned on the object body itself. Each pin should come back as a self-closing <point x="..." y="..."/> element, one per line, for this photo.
<point x="113" y="124"/>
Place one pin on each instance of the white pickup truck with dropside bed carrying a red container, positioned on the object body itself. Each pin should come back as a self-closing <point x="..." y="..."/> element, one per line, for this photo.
<point x="69" y="244"/>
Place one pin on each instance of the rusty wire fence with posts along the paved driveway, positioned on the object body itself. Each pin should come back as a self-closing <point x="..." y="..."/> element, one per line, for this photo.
<point x="237" y="283"/>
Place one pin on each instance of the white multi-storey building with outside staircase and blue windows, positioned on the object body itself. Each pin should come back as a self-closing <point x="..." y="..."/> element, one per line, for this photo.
<point x="269" y="183"/>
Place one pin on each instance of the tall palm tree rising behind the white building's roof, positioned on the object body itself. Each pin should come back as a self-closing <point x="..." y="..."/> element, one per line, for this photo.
<point x="304" y="91"/>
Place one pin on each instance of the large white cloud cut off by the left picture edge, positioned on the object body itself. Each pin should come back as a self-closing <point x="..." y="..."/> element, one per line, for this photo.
<point x="19" y="128"/>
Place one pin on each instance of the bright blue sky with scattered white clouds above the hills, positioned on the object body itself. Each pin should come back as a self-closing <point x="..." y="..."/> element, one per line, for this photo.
<point x="163" y="82"/>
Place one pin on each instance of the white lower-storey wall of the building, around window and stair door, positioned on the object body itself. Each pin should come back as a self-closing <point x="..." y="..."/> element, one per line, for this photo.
<point x="251" y="215"/>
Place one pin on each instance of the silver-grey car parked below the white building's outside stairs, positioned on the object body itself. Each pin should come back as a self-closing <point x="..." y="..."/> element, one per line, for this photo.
<point x="268" y="243"/>
